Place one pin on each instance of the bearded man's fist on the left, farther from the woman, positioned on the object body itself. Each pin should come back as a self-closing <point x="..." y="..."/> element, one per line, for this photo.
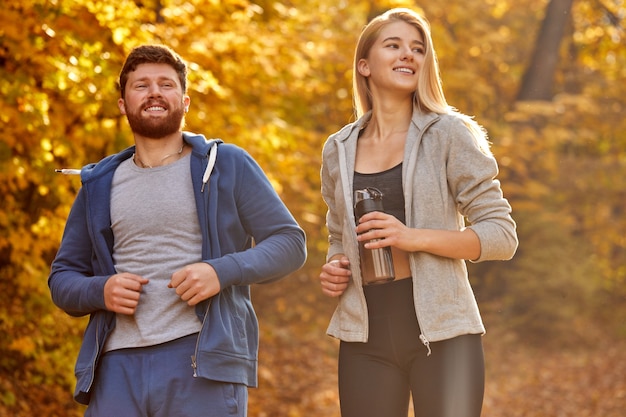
<point x="122" y="291"/>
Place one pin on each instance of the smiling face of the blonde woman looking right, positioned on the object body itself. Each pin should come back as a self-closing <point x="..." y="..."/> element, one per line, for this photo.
<point x="395" y="59"/>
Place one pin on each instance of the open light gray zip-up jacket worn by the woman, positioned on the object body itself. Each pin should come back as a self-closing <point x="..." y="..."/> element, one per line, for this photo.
<point x="446" y="178"/>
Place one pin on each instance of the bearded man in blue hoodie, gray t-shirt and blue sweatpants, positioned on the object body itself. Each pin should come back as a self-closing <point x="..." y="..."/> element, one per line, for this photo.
<point x="160" y="248"/>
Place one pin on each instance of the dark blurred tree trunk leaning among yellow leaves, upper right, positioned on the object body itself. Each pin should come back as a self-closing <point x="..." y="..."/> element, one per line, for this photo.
<point x="538" y="81"/>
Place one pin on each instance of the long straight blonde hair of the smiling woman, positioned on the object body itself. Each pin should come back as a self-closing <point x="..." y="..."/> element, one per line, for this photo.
<point x="429" y="95"/>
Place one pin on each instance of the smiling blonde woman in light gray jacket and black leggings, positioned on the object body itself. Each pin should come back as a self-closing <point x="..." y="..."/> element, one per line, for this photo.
<point x="420" y="334"/>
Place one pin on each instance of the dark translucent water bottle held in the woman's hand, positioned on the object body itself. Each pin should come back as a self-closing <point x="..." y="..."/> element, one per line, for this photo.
<point x="376" y="264"/>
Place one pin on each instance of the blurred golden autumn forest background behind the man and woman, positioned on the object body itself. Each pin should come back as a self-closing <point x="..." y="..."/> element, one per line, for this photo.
<point x="546" y="78"/>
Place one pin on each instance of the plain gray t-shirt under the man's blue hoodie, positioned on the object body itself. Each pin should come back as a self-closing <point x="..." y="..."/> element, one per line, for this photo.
<point x="155" y="224"/>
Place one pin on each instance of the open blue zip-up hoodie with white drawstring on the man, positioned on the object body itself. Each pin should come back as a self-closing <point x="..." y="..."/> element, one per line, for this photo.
<point x="248" y="236"/>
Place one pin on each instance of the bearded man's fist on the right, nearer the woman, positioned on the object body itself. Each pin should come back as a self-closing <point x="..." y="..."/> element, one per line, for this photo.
<point x="195" y="283"/>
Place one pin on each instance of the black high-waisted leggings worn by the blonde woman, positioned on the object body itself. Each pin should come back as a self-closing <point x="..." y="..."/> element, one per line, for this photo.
<point x="377" y="378"/>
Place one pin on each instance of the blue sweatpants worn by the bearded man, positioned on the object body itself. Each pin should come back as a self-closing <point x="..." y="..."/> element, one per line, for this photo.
<point x="158" y="381"/>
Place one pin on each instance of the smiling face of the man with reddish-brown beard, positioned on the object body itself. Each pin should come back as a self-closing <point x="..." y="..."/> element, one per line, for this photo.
<point x="154" y="102"/>
